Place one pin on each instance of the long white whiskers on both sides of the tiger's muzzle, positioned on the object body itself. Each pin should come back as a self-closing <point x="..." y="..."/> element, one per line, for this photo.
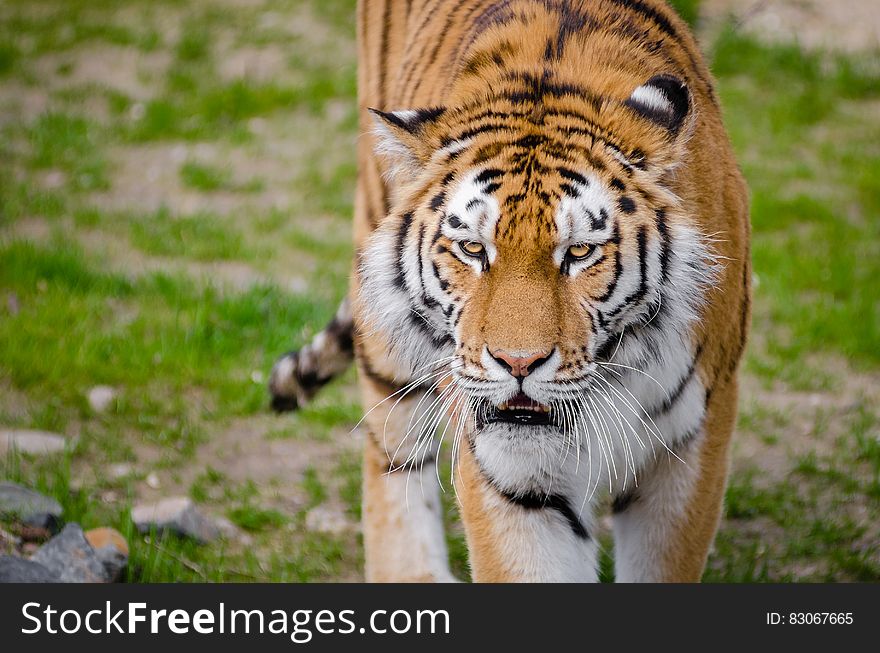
<point x="597" y="422"/>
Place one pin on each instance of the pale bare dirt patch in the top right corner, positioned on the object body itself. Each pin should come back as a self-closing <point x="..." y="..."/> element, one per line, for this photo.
<point x="816" y="24"/>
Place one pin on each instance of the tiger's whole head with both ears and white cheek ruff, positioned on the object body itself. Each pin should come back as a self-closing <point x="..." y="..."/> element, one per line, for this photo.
<point x="535" y="246"/>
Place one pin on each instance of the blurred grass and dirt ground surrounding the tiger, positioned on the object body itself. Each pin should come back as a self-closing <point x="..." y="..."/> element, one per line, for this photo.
<point x="176" y="183"/>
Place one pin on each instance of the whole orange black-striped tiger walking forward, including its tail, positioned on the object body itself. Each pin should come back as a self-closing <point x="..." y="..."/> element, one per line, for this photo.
<point x="552" y="276"/>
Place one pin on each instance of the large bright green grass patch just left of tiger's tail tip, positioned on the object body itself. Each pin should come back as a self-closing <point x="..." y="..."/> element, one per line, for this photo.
<point x="177" y="337"/>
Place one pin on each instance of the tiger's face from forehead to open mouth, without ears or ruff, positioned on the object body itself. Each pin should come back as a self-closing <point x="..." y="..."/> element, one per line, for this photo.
<point x="533" y="272"/>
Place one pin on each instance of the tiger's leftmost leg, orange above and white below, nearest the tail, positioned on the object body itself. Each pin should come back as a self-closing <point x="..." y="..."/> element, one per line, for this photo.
<point x="402" y="514"/>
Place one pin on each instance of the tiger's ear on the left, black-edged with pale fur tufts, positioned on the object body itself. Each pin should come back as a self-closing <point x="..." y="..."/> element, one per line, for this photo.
<point x="402" y="139"/>
